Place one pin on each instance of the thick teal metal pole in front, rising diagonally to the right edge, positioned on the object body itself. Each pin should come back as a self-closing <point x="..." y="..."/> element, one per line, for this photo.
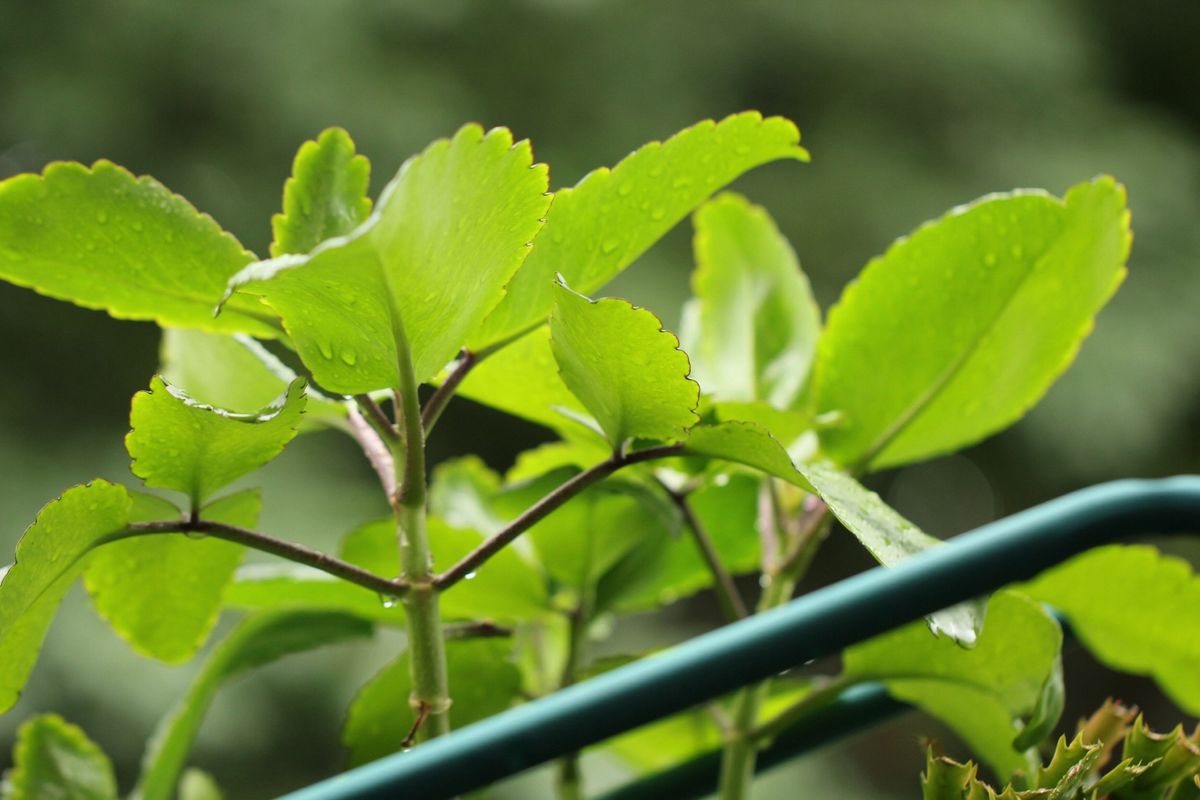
<point x="817" y="625"/>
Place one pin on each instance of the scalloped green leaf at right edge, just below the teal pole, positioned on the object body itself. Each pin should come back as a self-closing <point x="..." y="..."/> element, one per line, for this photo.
<point x="1137" y="611"/>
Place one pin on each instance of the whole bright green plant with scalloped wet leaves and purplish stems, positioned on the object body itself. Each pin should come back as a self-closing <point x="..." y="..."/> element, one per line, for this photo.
<point x="676" y="468"/>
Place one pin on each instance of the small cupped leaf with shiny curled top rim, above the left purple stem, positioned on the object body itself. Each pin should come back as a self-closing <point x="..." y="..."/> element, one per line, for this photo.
<point x="179" y="444"/>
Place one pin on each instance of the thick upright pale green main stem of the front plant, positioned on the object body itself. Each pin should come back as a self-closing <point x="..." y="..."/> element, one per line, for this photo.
<point x="427" y="645"/>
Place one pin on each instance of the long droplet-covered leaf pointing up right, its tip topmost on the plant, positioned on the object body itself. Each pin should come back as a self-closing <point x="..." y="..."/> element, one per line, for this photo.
<point x="598" y="228"/>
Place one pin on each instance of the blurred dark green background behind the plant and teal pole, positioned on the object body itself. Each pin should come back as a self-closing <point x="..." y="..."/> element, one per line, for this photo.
<point x="909" y="107"/>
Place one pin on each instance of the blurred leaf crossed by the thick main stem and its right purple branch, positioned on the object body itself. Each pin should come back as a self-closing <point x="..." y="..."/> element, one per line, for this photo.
<point x="507" y="590"/>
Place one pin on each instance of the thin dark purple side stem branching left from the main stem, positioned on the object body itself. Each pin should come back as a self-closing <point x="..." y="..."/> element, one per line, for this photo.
<point x="291" y="551"/>
